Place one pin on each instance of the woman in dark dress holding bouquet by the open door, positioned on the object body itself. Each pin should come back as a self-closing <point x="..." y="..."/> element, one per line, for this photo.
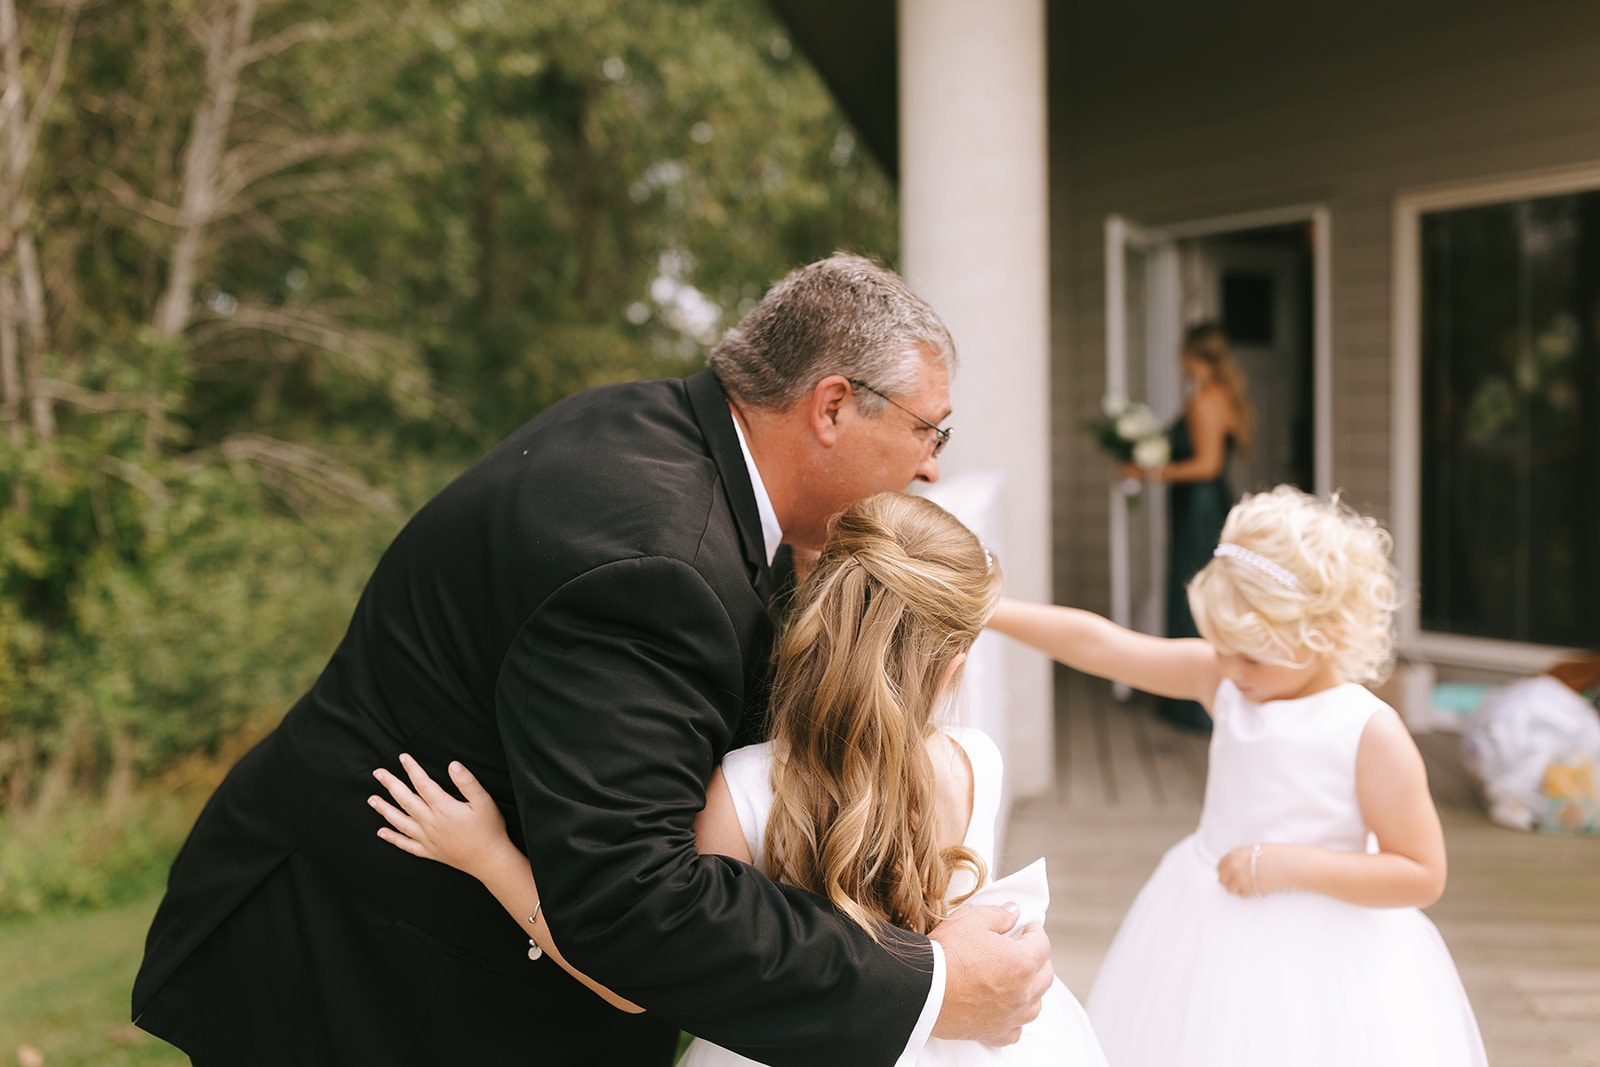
<point x="1217" y="422"/>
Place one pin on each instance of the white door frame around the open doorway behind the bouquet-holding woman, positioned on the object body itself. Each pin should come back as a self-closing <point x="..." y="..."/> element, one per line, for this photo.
<point x="1121" y="234"/>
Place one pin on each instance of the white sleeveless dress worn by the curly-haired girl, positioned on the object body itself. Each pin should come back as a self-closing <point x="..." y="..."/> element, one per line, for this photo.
<point x="1202" y="978"/>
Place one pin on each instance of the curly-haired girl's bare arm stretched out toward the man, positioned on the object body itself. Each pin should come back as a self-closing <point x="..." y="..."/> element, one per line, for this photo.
<point x="1183" y="668"/>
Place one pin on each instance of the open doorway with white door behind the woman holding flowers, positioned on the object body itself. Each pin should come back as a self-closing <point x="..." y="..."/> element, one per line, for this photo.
<point x="1265" y="279"/>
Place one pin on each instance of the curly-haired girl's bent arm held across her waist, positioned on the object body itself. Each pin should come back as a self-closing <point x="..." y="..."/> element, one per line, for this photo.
<point x="1409" y="871"/>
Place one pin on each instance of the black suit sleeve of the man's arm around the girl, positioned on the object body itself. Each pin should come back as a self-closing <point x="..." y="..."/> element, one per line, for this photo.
<point x="612" y="705"/>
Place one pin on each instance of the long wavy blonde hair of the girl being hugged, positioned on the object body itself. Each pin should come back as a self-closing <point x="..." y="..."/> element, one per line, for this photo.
<point x="900" y="591"/>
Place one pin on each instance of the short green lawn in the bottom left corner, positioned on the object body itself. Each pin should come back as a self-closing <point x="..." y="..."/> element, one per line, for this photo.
<point x="65" y="985"/>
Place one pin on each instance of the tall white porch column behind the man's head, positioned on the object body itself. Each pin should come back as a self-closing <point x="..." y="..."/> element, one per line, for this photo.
<point x="975" y="244"/>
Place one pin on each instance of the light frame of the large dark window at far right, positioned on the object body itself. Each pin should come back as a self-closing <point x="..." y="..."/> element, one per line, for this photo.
<point x="1407" y="410"/>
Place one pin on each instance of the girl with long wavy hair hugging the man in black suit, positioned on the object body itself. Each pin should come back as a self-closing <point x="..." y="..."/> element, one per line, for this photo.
<point x="862" y="796"/>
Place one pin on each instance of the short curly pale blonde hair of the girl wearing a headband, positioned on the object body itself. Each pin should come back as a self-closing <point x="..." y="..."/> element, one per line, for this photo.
<point x="1346" y="597"/>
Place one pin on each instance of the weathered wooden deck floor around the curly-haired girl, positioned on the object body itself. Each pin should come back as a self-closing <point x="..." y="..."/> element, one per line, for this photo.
<point x="1522" y="913"/>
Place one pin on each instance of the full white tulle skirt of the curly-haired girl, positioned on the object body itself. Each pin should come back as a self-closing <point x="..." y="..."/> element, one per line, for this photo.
<point x="1201" y="978"/>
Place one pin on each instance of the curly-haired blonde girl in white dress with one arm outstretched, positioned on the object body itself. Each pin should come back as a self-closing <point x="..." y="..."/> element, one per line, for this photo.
<point x="1286" y="930"/>
